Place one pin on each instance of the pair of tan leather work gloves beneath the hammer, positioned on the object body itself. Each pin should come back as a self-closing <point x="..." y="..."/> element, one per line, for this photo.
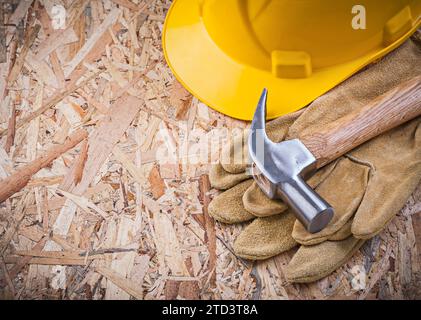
<point x="366" y="187"/>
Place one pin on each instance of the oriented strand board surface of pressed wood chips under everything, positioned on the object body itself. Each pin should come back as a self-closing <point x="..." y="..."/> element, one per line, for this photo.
<point x="109" y="220"/>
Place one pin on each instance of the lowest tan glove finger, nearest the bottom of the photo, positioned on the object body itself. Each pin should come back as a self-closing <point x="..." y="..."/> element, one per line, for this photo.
<point x="311" y="263"/>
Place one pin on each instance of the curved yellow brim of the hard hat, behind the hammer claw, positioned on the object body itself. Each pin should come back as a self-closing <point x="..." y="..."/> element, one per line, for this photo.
<point x="233" y="88"/>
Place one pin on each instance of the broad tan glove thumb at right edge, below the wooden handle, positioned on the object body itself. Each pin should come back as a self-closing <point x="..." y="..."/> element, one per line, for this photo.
<point x="396" y="158"/>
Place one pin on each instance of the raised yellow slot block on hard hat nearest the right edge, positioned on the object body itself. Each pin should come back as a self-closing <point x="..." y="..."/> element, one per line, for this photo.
<point x="397" y="26"/>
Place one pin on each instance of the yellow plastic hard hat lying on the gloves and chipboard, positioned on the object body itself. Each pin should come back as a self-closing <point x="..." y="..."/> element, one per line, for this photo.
<point x="226" y="51"/>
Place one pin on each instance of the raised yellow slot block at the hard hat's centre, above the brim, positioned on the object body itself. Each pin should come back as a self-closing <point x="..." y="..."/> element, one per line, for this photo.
<point x="291" y="64"/>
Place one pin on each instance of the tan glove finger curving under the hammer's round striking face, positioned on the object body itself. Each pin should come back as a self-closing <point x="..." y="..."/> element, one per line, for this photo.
<point x="343" y="189"/>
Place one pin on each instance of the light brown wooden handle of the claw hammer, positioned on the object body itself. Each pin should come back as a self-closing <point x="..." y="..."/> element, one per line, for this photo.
<point x="391" y="109"/>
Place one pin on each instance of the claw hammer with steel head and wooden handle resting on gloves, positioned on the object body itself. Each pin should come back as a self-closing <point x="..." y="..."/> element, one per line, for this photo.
<point x="280" y="169"/>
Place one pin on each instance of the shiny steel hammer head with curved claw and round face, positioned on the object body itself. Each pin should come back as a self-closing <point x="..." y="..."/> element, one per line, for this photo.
<point x="280" y="170"/>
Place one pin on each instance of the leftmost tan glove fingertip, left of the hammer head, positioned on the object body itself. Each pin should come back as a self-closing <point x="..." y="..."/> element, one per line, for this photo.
<point x="228" y="206"/>
